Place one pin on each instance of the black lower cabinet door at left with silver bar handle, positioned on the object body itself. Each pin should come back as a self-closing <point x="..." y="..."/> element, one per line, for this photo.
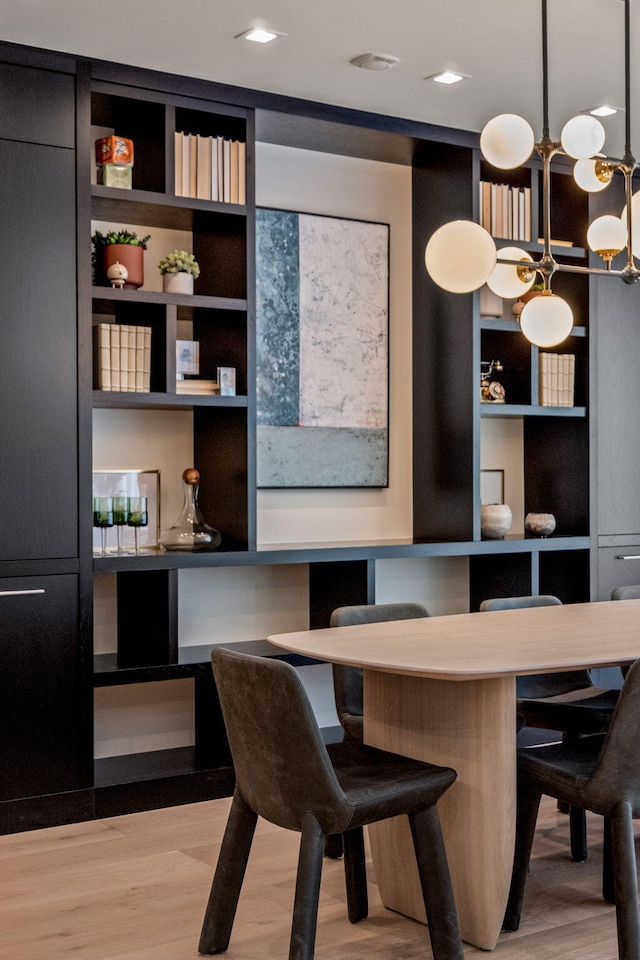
<point x="41" y="706"/>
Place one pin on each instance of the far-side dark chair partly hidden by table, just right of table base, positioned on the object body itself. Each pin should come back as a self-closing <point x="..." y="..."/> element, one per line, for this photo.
<point x="568" y="702"/>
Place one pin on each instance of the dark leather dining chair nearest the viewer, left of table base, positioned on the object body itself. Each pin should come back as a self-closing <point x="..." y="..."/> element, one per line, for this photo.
<point x="286" y="774"/>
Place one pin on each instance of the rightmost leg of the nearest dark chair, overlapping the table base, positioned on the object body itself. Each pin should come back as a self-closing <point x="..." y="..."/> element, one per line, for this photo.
<point x="435" y="880"/>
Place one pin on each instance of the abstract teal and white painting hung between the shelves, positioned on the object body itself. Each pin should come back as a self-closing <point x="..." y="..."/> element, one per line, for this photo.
<point x="322" y="323"/>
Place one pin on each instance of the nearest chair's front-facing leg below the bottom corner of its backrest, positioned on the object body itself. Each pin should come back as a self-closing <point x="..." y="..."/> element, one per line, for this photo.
<point x="305" y="907"/>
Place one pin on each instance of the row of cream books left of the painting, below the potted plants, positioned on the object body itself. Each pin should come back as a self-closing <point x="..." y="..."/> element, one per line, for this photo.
<point x="122" y="357"/>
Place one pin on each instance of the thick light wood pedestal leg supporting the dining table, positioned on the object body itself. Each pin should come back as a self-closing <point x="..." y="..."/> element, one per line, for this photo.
<point x="468" y="725"/>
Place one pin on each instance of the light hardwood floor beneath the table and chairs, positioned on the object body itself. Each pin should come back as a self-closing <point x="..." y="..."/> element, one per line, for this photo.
<point x="135" y="888"/>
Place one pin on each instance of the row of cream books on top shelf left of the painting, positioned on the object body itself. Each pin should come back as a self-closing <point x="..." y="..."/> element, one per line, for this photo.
<point x="210" y="168"/>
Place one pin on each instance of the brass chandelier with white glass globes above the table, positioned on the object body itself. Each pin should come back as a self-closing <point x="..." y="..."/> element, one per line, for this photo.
<point x="506" y="142"/>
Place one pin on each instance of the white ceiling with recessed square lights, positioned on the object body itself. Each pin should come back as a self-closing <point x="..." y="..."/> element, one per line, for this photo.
<point x="496" y="42"/>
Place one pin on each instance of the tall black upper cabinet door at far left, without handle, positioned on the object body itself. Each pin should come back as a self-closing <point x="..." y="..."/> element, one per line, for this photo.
<point x="38" y="368"/>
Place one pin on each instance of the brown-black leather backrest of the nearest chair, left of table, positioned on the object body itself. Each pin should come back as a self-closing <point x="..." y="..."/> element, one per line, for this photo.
<point x="281" y="763"/>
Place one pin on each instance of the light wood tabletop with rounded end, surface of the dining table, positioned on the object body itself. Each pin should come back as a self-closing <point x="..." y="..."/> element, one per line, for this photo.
<point x="471" y="646"/>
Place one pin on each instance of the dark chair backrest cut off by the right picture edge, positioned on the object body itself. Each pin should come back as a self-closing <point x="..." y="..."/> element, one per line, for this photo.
<point x="617" y="773"/>
